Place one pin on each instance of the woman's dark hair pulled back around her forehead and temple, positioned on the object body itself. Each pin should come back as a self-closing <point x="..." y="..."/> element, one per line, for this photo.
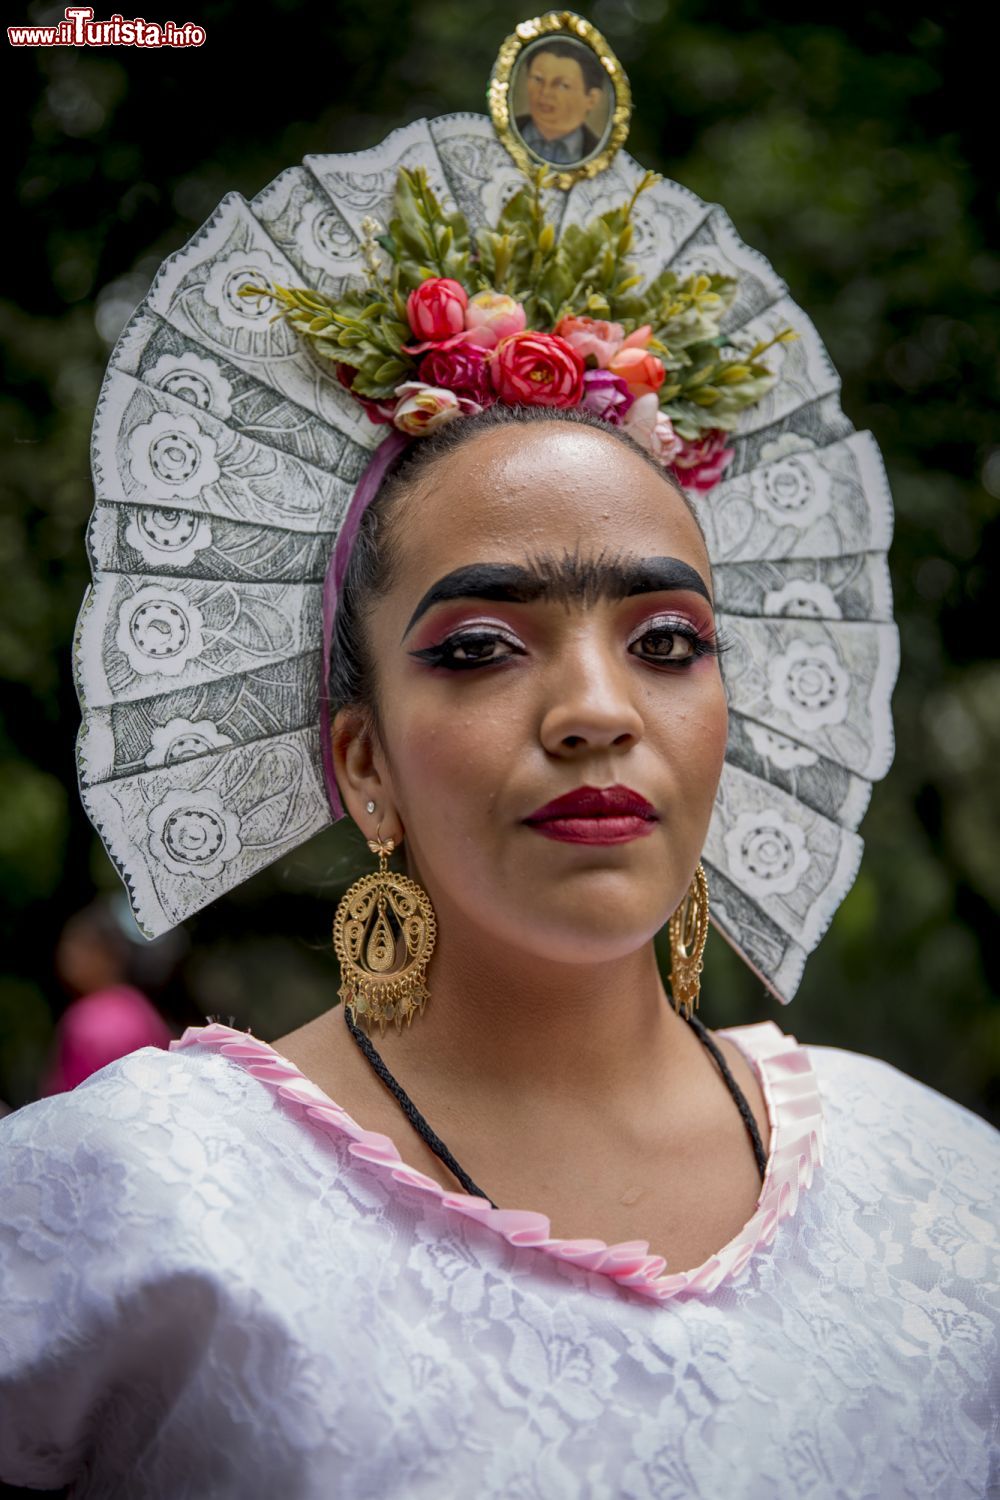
<point x="373" y="563"/>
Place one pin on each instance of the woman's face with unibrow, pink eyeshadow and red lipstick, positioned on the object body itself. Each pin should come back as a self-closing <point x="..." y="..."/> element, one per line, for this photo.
<point x="549" y="628"/>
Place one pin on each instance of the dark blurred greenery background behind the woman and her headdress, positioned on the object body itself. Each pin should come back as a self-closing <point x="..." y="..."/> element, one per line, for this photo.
<point x="855" y="149"/>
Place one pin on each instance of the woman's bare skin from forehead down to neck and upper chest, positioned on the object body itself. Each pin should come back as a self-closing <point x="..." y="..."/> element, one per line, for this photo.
<point x="557" y="646"/>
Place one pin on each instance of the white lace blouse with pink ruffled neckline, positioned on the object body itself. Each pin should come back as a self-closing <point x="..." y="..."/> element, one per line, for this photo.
<point x="214" y="1283"/>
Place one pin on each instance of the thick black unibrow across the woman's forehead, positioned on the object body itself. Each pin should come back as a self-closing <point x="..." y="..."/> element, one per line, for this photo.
<point x="564" y="581"/>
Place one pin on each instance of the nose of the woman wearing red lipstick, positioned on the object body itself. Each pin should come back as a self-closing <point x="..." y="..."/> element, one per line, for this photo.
<point x="591" y="706"/>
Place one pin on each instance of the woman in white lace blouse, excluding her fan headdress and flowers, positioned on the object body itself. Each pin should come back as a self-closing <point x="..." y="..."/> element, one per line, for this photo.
<point x="241" y="1268"/>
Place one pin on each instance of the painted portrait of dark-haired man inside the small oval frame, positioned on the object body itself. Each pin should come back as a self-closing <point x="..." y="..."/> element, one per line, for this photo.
<point x="563" y="101"/>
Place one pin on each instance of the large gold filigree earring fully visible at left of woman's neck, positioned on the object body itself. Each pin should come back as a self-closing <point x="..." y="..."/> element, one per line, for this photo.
<point x="383" y="934"/>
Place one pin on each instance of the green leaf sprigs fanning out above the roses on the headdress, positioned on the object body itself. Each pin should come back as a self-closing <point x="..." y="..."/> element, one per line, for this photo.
<point x="582" y="272"/>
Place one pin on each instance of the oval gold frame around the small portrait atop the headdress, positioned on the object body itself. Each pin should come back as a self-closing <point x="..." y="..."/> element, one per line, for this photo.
<point x="575" y="29"/>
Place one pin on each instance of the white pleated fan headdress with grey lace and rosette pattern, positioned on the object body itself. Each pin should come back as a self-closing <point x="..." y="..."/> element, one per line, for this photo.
<point x="226" y="458"/>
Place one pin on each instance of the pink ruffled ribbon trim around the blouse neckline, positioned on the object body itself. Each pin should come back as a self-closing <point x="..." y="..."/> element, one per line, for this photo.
<point x="797" y="1148"/>
